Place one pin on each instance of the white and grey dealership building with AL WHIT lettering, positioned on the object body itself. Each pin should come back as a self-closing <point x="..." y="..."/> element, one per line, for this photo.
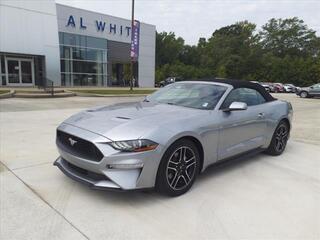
<point x="41" y="41"/>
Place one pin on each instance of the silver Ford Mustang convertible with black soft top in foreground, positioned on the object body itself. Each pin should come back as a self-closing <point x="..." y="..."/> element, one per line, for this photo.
<point x="173" y="135"/>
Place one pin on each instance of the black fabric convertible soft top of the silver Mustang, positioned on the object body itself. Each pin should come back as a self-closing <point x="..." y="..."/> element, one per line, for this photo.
<point x="241" y="84"/>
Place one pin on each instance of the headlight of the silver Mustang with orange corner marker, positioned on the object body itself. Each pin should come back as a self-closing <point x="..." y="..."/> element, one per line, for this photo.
<point x="139" y="145"/>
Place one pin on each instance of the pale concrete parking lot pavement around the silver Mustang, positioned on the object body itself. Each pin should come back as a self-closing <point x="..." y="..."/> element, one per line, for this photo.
<point x="261" y="197"/>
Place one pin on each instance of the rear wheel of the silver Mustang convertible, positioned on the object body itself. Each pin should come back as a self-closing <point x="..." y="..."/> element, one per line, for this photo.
<point x="279" y="139"/>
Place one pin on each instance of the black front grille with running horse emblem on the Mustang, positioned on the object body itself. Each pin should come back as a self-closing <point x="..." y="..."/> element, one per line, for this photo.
<point x="81" y="148"/>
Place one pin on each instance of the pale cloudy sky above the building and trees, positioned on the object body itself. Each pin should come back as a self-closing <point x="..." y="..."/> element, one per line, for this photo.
<point x="192" y="19"/>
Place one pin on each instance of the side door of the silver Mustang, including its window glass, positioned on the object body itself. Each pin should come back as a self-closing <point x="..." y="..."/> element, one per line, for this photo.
<point x="243" y="130"/>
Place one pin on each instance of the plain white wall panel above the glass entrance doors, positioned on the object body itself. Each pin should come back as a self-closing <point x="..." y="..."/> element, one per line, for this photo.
<point x="30" y="27"/>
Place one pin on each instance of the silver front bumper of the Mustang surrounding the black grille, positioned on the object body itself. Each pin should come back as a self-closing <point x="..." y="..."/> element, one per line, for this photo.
<point x="115" y="171"/>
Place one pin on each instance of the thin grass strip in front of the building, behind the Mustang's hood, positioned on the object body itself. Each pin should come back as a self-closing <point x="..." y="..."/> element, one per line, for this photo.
<point x="114" y="91"/>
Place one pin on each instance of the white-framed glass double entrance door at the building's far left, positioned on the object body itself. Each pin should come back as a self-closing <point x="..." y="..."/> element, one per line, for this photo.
<point x="20" y="71"/>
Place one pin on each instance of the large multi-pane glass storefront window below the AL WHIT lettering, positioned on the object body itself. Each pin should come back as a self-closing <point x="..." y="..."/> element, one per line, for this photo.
<point x="85" y="58"/>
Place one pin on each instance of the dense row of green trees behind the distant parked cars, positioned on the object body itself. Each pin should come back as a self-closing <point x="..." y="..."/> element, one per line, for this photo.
<point x="285" y="50"/>
